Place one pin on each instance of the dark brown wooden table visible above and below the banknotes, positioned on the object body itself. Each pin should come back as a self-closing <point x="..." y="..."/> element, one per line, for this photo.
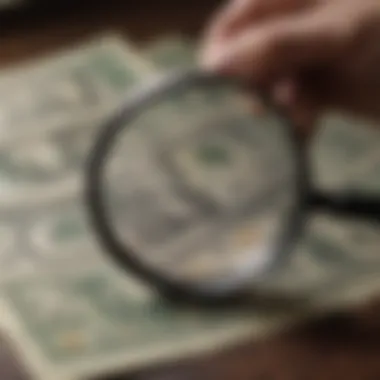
<point x="343" y="347"/>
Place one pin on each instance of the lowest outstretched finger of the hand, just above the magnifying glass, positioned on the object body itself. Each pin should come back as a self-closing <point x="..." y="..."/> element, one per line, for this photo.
<point x="281" y="46"/>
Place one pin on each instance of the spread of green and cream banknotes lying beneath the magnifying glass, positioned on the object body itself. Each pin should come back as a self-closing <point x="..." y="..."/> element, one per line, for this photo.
<point x="70" y="313"/>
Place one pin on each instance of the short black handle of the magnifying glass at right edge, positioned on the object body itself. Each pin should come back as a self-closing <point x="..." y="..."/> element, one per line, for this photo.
<point x="357" y="206"/>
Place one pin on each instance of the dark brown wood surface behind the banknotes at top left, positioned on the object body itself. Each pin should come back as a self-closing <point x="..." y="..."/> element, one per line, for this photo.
<point x="33" y="32"/>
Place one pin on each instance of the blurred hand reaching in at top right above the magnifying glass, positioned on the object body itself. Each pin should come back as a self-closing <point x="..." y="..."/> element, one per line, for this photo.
<point x="313" y="55"/>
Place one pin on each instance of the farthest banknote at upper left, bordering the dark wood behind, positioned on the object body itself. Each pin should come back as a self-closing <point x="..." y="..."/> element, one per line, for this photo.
<point x="74" y="86"/>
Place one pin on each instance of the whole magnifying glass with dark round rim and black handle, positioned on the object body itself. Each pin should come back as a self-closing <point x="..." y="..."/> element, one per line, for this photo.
<point x="196" y="195"/>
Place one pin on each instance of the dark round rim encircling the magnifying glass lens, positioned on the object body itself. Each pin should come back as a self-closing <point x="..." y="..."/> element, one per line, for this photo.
<point x="124" y="256"/>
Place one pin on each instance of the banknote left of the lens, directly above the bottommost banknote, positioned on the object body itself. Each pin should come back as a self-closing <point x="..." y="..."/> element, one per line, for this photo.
<point x="45" y="236"/>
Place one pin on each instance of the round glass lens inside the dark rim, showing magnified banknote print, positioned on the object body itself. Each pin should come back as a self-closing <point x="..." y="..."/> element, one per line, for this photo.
<point x="200" y="188"/>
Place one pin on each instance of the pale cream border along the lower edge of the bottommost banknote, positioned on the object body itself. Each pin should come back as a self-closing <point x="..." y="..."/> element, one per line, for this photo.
<point x="38" y="367"/>
